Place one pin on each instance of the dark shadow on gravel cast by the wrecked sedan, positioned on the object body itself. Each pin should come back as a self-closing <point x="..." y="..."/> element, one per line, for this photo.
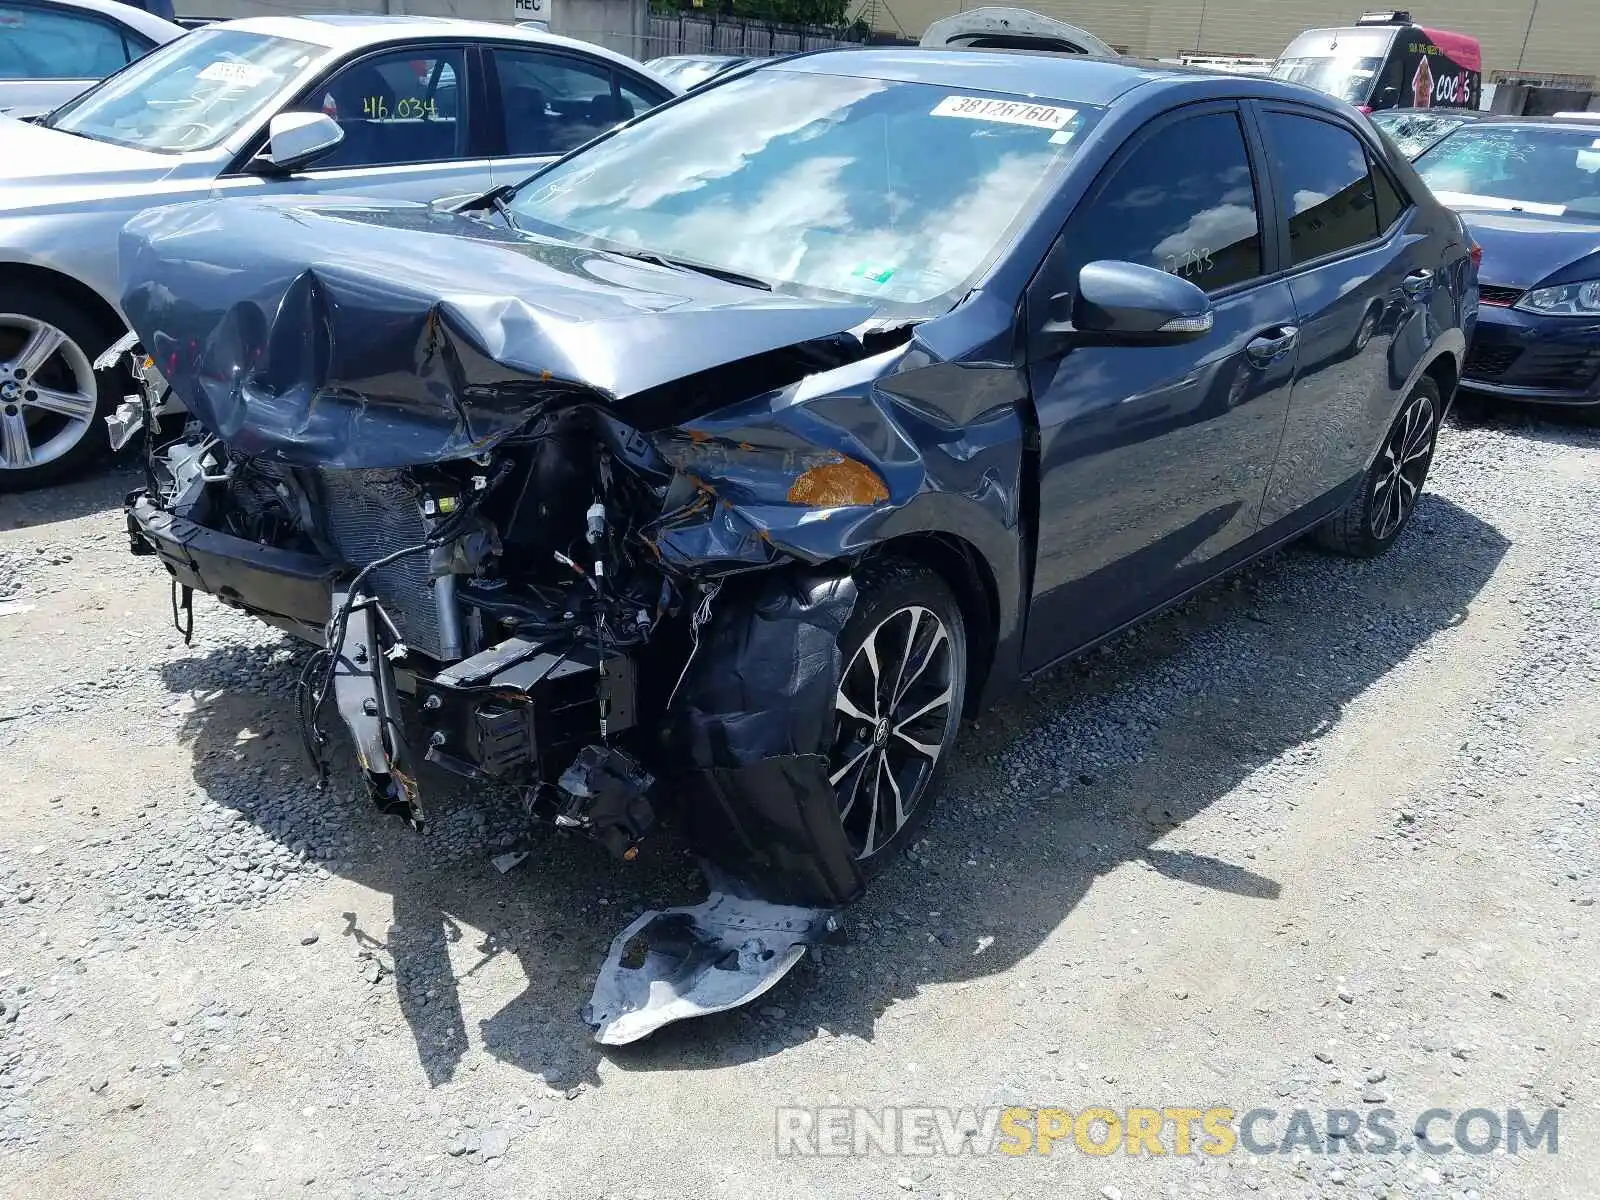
<point x="1081" y="775"/>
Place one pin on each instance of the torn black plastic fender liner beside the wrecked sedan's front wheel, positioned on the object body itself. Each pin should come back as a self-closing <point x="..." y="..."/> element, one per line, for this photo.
<point x="754" y="721"/>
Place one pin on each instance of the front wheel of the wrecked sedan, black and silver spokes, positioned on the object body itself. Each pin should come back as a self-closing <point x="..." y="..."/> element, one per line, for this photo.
<point x="898" y="706"/>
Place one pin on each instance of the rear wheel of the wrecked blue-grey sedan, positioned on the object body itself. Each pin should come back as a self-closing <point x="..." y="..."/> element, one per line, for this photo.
<point x="1378" y="514"/>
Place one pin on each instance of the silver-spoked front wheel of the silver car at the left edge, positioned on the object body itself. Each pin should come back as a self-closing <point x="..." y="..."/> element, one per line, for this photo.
<point x="50" y="398"/>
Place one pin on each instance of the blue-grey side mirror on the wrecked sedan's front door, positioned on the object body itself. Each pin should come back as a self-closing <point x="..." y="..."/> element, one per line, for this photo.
<point x="1130" y="305"/>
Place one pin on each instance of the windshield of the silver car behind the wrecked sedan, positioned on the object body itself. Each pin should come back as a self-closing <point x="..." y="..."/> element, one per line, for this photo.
<point x="191" y="94"/>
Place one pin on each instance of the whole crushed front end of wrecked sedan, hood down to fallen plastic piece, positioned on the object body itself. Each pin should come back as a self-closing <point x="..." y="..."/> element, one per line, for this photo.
<point x="553" y="521"/>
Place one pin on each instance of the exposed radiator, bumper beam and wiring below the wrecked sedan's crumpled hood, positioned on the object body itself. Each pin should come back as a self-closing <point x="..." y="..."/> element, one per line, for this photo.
<point x="503" y="598"/>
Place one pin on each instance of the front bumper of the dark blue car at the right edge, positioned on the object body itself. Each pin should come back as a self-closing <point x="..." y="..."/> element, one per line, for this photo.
<point x="1518" y="356"/>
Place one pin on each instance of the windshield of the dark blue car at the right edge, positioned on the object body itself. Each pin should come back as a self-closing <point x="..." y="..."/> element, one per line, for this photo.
<point x="1538" y="169"/>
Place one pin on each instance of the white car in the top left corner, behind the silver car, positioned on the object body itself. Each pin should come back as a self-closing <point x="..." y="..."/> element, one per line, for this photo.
<point x="52" y="50"/>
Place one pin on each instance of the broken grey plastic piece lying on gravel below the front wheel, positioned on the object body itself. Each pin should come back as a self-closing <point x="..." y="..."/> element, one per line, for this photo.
<point x="676" y="964"/>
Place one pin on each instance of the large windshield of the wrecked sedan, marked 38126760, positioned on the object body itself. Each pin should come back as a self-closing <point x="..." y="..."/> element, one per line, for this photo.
<point x="844" y="186"/>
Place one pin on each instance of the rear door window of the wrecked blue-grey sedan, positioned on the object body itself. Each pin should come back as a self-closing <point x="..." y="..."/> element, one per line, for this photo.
<point x="1326" y="185"/>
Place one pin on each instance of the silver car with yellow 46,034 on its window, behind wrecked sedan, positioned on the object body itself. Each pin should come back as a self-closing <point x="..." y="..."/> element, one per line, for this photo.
<point x="310" y="105"/>
